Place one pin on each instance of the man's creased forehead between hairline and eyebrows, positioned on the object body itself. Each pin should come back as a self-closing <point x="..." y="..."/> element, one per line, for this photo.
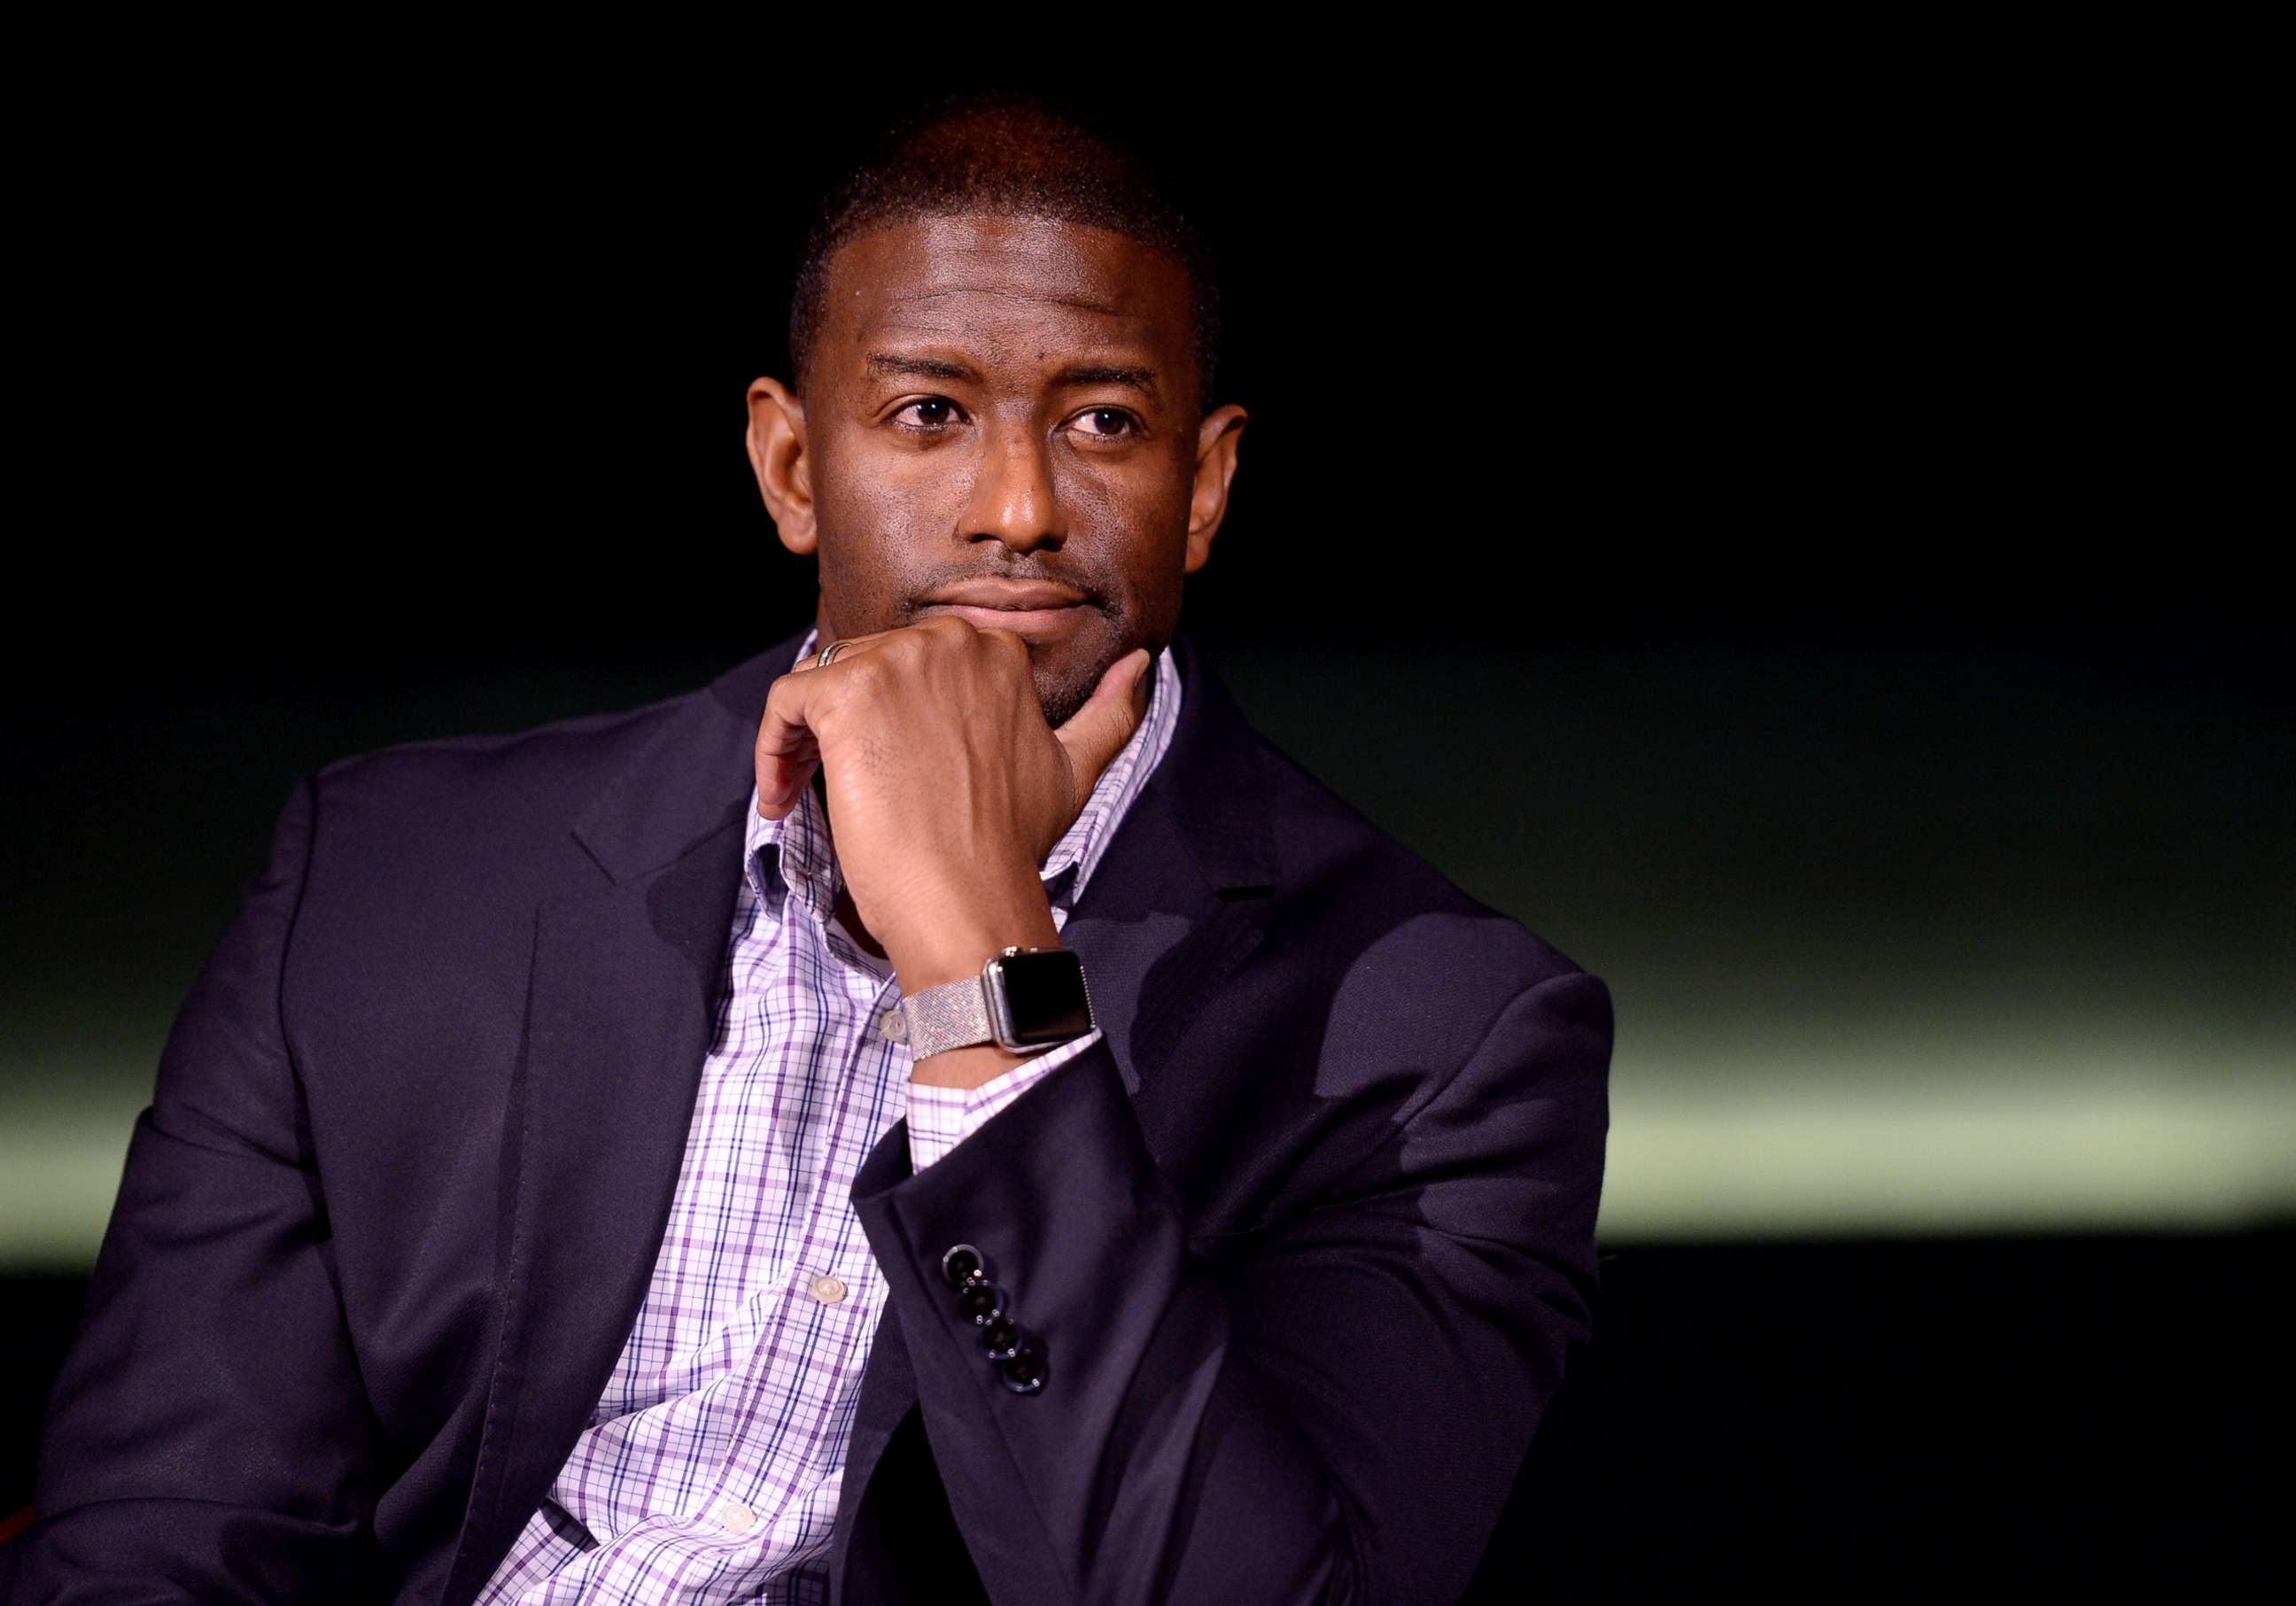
<point x="959" y="275"/>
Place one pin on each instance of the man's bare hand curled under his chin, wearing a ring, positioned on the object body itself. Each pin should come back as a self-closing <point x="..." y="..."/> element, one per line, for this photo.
<point x="947" y="789"/>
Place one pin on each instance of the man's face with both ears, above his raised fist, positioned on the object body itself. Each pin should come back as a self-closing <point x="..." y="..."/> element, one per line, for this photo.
<point x="1004" y="410"/>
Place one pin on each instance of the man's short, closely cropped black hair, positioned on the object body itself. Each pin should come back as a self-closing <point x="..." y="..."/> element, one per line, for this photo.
<point x="1011" y="153"/>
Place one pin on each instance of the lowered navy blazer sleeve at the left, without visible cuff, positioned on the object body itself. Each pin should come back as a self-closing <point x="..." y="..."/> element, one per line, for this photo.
<point x="210" y="1437"/>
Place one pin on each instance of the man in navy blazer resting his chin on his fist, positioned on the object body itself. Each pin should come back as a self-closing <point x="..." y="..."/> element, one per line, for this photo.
<point x="943" y="1113"/>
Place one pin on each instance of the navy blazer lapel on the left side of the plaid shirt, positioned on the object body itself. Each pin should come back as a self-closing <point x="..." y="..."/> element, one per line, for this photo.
<point x="628" y="978"/>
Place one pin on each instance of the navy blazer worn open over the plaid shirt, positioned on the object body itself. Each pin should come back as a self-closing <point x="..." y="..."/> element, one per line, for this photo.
<point x="1305" y="1240"/>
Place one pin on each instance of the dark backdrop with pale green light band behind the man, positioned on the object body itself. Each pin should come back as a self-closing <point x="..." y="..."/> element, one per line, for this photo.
<point x="1804" y="550"/>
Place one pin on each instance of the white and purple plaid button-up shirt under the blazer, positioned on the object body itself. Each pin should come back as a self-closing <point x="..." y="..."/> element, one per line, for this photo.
<point x="713" y="1462"/>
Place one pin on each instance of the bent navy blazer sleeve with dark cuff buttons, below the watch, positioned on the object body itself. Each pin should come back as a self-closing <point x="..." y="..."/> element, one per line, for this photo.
<point x="1333" y="1410"/>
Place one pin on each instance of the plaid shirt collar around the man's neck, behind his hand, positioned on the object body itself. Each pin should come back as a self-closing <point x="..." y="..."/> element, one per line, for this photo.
<point x="796" y="851"/>
